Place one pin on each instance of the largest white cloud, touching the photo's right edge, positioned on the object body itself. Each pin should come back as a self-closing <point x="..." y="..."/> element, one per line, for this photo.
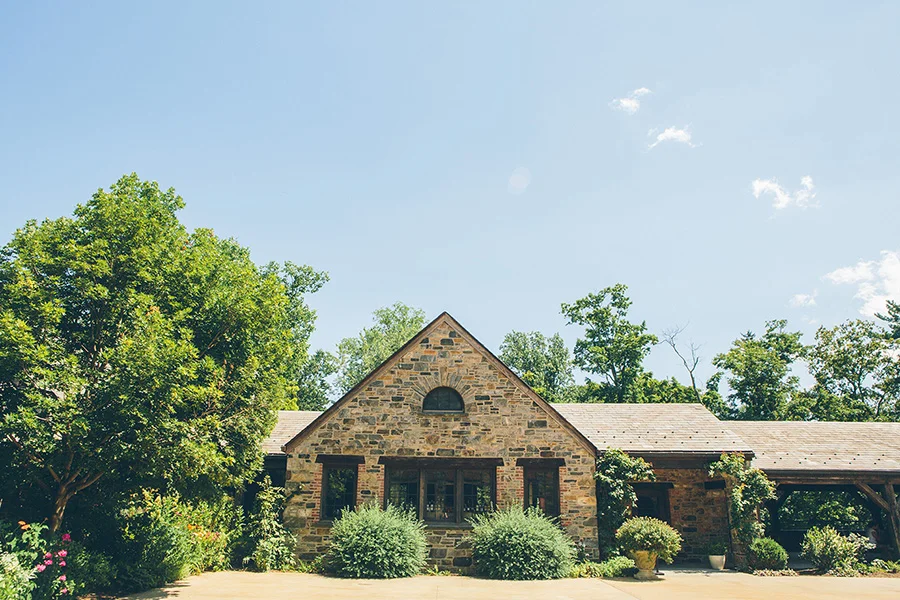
<point x="876" y="281"/>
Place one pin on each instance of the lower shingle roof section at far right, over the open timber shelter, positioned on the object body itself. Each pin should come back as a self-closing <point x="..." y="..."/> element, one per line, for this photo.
<point x="822" y="446"/>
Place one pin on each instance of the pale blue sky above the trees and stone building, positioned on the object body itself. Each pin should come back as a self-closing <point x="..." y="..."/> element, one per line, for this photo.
<point x="492" y="159"/>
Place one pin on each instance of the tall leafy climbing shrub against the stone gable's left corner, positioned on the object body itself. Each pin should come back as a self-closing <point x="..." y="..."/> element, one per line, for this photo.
<point x="269" y="545"/>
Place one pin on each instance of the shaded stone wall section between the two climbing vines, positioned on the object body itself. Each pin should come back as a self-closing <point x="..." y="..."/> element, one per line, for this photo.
<point x="698" y="514"/>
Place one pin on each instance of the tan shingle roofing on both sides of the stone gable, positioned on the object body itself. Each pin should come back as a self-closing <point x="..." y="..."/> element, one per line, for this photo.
<point x="822" y="447"/>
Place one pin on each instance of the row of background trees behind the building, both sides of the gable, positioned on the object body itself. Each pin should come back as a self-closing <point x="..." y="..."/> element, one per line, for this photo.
<point x="854" y="366"/>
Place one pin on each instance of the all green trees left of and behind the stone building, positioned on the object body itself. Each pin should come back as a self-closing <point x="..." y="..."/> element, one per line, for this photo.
<point x="137" y="354"/>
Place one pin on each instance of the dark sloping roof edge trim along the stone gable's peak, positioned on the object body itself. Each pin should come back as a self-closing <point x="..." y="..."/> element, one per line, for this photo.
<point x="444" y="317"/>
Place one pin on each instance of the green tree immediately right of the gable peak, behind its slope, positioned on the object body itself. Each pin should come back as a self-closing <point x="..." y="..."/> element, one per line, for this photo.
<point x="543" y="363"/>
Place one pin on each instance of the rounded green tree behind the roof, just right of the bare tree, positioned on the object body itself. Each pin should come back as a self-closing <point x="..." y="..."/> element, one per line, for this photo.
<point x="757" y="370"/>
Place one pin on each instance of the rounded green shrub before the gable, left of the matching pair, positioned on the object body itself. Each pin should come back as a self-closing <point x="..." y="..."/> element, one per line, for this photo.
<point x="372" y="543"/>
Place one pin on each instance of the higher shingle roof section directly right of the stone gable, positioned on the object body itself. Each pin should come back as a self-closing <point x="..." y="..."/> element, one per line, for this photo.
<point x="653" y="428"/>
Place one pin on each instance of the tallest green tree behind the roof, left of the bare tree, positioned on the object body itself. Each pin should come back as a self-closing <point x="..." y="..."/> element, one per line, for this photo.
<point x="612" y="346"/>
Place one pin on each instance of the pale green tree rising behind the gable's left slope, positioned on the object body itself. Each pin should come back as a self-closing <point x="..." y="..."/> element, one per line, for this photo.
<point x="358" y="356"/>
